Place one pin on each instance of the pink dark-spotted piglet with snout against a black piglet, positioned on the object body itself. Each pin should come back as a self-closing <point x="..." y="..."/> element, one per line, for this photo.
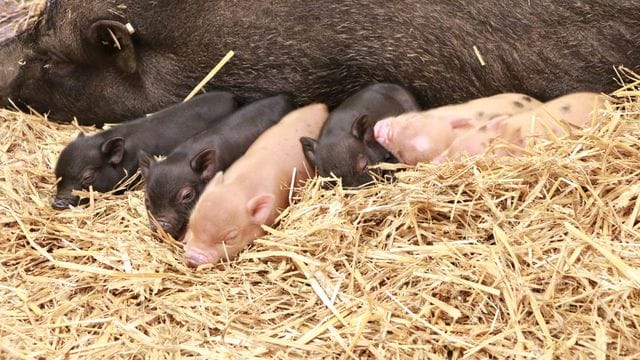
<point x="422" y="136"/>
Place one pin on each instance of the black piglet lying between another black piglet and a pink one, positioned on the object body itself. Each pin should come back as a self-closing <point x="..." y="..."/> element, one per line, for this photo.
<point x="173" y="185"/>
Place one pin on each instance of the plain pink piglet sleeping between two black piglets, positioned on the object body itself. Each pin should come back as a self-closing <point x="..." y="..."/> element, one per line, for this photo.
<point x="234" y="205"/>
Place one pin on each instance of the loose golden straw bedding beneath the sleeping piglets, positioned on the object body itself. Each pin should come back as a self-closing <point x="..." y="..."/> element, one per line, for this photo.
<point x="531" y="257"/>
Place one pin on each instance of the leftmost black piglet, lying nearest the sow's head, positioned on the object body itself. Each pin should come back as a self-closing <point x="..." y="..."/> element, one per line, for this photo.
<point x="111" y="156"/>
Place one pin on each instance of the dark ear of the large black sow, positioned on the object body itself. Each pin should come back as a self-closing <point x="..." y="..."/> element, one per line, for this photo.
<point x="114" y="40"/>
